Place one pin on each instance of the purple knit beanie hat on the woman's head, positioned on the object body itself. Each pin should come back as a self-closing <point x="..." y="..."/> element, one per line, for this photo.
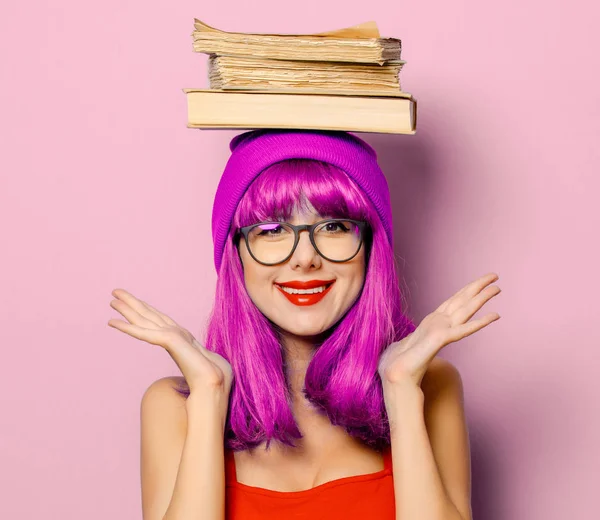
<point x="254" y="151"/>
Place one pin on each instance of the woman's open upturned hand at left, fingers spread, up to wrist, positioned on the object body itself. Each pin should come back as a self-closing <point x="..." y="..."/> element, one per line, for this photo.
<point x="202" y="369"/>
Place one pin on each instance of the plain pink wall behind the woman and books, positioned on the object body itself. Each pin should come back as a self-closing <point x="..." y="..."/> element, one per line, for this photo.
<point x="103" y="186"/>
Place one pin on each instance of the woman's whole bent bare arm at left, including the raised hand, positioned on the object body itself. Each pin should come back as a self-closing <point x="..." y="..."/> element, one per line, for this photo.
<point x="182" y="463"/>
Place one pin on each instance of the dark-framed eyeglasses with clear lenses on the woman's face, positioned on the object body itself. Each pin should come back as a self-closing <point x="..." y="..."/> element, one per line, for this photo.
<point x="336" y="240"/>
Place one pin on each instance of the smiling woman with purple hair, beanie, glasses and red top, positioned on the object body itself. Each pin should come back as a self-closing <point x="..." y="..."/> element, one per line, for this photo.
<point x="312" y="395"/>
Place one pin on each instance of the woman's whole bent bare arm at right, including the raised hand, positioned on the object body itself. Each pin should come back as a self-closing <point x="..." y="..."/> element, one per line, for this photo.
<point x="424" y="400"/>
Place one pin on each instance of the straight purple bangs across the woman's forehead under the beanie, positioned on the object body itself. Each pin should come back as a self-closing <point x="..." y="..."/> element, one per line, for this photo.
<point x="292" y="185"/>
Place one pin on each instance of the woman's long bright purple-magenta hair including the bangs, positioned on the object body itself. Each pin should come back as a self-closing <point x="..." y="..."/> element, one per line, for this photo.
<point x="341" y="380"/>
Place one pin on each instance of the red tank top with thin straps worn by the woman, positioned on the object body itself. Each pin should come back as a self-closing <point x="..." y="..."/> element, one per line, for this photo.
<point x="350" y="498"/>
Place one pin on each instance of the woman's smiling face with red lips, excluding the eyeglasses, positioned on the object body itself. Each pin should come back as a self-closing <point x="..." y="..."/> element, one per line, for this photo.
<point x="293" y="314"/>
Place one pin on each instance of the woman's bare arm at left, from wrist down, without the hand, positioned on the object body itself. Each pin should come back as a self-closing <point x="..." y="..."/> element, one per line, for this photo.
<point x="182" y="454"/>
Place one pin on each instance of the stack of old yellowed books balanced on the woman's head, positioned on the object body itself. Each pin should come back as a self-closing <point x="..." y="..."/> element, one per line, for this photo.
<point x="346" y="79"/>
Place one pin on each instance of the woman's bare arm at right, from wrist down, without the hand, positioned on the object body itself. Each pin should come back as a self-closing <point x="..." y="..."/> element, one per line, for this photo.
<point x="430" y="450"/>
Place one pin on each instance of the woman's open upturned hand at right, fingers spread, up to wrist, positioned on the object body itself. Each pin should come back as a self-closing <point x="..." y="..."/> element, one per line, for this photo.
<point x="406" y="361"/>
